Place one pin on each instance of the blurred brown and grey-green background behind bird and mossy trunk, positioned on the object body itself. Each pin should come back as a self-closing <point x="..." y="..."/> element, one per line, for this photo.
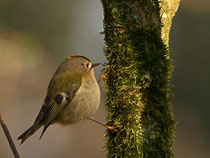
<point x="35" y="36"/>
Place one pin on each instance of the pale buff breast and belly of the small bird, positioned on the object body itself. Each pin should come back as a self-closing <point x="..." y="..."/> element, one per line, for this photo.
<point x="84" y="104"/>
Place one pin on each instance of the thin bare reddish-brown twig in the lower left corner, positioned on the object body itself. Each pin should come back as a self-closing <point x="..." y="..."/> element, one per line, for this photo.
<point x="9" y="138"/>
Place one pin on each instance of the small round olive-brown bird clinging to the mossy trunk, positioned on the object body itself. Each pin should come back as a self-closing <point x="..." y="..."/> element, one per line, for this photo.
<point x="73" y="95"/>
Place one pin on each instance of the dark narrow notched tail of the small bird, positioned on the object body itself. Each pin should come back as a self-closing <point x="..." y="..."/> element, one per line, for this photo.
<point x="28" y="133"/>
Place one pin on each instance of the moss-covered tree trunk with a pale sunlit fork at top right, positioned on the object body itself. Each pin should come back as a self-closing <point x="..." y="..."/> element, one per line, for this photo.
<point x="138" y="79"/>
